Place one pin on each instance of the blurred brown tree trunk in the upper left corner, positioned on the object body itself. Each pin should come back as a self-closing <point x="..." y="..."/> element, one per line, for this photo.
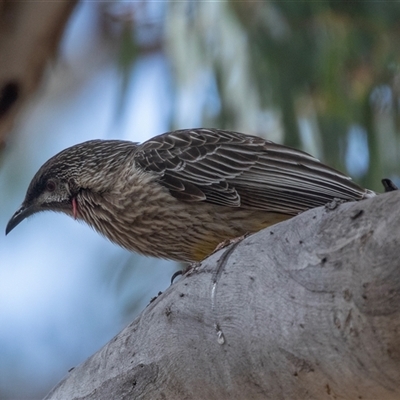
<point x="29" y="35"/>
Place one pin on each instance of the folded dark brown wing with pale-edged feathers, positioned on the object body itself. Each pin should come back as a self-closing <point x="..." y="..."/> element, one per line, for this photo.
<point x="237" y="170"/>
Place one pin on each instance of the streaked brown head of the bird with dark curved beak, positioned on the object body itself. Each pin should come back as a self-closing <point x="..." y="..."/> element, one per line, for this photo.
<point x="88" y="166"/>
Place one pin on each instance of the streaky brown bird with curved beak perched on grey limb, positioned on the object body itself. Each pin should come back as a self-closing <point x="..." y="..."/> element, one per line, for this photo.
<point x="180" y="194"/>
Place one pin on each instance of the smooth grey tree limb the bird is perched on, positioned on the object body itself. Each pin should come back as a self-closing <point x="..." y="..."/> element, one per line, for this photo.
<point x="306" y="309"/>
